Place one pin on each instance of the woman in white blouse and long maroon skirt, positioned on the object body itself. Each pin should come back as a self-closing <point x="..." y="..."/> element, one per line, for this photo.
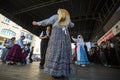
<point x="15" y="53"/>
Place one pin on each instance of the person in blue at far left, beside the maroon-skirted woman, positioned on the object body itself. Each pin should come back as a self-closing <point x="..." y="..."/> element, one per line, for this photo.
<point x="8" y="45"/>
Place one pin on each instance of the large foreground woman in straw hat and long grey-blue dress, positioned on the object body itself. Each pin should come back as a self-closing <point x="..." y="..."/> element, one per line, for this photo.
<point x="59" y="53"/>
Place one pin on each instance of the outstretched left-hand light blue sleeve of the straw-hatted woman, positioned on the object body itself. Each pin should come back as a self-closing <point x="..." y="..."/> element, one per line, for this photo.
<point x="48" y="21"/>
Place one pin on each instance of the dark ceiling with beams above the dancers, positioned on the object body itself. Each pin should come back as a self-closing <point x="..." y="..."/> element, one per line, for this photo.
<point x="89" y="16"/>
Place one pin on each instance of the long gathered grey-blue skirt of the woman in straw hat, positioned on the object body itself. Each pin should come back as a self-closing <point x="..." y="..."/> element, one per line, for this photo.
<point x="58" y="60"/>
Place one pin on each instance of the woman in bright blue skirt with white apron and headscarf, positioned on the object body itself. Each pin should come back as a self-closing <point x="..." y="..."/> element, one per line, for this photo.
<point x="81" y="53"/>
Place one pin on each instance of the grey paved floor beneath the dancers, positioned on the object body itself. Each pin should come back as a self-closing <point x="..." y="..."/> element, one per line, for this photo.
<point x="32" y="72"/>
